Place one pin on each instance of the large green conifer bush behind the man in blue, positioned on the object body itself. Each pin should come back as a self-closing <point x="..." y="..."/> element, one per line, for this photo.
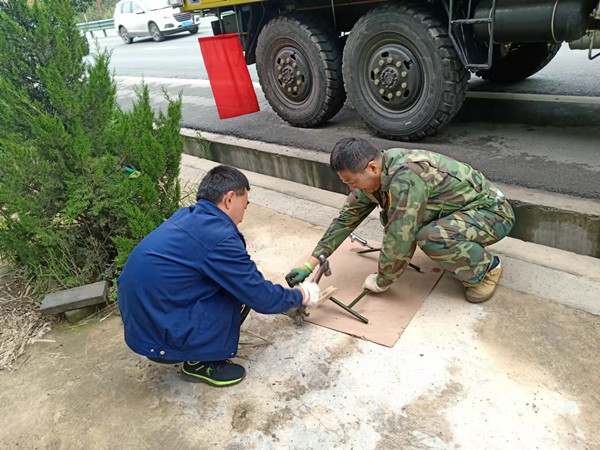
<point x="68" y="212"/>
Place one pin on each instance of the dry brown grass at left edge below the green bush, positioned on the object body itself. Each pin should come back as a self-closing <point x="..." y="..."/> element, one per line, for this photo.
<point x="21" y="323"/>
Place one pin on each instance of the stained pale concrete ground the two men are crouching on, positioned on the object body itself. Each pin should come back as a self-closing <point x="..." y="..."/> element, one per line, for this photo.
<point x="517" y="372"/>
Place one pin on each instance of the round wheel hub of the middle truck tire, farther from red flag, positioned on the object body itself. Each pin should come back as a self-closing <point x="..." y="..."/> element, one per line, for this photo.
<point x="395" y="78"/>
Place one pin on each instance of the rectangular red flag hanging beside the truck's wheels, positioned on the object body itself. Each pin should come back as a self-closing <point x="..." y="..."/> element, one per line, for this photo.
<point x="228" y="75"/>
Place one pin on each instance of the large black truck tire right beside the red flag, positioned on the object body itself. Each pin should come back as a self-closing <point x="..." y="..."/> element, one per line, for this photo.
<point x="299" y="66"/>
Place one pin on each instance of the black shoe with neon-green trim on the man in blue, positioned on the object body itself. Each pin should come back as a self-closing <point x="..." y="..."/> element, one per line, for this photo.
<point x="215" y="373"/>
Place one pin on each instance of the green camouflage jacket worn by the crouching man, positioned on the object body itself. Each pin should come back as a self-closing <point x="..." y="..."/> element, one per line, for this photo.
<point x="417" y="187"/>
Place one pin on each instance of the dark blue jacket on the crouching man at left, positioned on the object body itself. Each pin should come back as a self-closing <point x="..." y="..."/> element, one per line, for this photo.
<point x="181" y="290"/>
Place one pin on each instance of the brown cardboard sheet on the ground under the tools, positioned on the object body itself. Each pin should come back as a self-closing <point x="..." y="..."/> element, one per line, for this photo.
<point x="390" y="312"/>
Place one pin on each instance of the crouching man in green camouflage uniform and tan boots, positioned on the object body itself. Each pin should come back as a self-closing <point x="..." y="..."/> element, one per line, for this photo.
<point x="445" y="207"/>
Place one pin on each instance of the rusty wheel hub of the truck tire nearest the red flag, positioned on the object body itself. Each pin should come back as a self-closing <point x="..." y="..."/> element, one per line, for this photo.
<point x="293" y="74"/>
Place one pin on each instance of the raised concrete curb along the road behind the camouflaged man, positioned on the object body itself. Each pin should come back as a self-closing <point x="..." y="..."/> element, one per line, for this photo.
<point x="549" y="219"/>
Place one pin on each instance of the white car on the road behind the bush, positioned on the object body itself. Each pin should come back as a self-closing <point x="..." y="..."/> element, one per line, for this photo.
<point x="156" y="18"/>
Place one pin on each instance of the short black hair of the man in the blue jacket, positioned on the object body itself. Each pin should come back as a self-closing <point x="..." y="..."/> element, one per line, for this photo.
<point x="220" y="180"/>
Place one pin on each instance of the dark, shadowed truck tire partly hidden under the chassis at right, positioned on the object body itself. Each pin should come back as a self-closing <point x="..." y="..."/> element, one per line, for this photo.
<point x="515" y="62"/>
